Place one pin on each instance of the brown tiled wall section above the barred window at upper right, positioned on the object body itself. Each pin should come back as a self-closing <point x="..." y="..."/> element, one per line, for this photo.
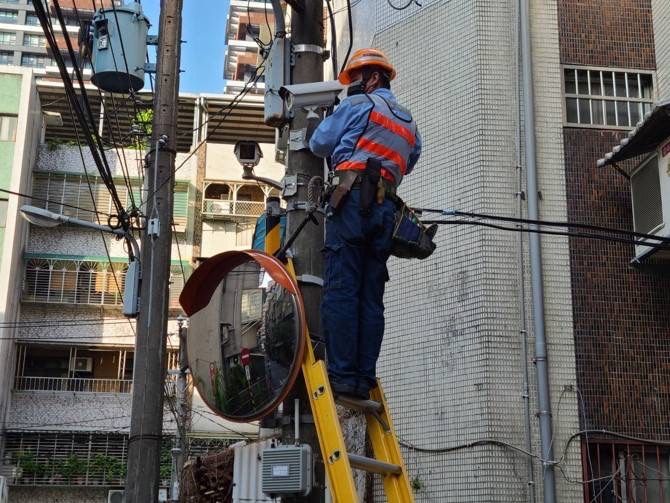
<point x="610" y="33"/>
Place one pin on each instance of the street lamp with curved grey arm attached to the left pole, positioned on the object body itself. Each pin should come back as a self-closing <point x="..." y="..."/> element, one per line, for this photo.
<point x="45" y="218"/>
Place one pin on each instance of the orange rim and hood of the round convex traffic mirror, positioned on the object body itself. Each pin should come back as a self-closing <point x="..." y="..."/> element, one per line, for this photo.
<point x="198" y="291"/>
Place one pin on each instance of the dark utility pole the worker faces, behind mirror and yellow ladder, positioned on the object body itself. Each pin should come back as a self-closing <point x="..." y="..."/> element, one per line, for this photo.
<point x="307" y="40"/>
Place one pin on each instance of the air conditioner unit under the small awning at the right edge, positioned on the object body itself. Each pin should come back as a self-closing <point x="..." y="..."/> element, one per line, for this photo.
<point x="650" y="193"/>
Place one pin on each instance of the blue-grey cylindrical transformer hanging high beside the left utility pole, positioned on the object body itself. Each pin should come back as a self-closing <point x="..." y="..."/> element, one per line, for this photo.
<point x="119" y="45"/>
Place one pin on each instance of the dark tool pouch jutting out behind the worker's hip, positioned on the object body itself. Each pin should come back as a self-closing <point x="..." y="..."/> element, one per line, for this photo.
<point x="411" y="239"/>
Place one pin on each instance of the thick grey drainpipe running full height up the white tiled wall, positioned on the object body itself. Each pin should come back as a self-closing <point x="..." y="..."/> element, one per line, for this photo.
<point x="535" y="251"/>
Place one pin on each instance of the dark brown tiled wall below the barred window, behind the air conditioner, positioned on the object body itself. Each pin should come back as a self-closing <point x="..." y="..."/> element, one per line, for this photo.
<point x="622" y="315"/>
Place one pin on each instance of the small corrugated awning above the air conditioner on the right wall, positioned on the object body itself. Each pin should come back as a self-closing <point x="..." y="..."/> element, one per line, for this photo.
<point x="649" y="133"/>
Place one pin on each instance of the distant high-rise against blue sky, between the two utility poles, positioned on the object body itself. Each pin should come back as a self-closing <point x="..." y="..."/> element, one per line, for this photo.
<point x="247" y="24"/>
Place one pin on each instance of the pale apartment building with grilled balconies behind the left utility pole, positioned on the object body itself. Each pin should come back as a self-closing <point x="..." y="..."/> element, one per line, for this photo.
<point x="67" y="352"/>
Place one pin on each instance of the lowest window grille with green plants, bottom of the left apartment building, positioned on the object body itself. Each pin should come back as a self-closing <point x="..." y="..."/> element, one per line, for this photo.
<point x="72" y="458"/>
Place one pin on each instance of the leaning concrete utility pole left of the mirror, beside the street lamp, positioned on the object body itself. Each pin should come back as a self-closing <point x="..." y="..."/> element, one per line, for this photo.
<point x="144" y="444"/>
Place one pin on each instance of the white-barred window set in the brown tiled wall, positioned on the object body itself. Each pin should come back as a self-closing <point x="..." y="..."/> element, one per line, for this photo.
<point x="607" y="98"/>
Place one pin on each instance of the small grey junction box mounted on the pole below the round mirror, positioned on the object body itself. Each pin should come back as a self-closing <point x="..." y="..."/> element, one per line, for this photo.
<point x="287" y="470"/>
